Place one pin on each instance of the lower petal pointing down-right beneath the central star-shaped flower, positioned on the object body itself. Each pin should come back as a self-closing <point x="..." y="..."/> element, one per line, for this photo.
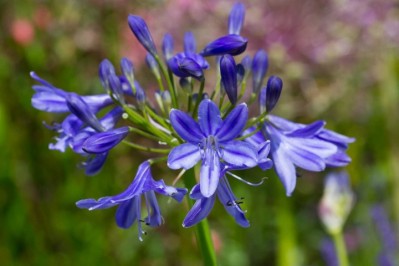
<point x="228" y="200"/>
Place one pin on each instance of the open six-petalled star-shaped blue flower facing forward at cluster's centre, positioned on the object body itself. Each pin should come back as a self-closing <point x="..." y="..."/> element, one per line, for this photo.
<point x="211" y="140"/>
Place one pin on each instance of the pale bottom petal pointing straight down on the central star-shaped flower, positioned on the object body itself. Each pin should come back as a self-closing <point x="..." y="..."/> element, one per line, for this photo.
<point x="209" y="173"/>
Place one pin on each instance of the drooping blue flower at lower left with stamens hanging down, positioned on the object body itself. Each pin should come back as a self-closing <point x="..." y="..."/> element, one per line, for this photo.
<point x="129" y="201"/>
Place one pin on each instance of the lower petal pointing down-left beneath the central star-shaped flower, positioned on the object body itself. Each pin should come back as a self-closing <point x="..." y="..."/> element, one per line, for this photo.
<point x="199" y="211"/>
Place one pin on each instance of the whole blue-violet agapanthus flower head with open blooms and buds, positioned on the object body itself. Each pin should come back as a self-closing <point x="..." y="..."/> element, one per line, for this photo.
<point x="223" y="138"/>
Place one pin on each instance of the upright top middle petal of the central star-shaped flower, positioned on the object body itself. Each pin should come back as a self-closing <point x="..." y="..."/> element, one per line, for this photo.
<point x="209" y="117"/>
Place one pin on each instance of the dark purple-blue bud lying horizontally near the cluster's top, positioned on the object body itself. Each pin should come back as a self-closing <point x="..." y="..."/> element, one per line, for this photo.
<point x="232" y="44"/>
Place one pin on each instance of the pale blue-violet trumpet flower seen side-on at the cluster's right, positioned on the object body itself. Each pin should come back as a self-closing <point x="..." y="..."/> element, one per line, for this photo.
<point x="310" y="147"/>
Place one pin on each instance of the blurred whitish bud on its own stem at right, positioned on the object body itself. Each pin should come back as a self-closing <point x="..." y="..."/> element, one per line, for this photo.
<point x="337" y="202"/>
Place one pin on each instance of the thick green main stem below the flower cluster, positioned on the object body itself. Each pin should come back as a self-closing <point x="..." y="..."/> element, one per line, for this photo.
<point x="203" y="234"/>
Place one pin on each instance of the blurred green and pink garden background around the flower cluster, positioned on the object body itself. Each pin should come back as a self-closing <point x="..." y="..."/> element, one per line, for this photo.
<point x="339" y="60"/>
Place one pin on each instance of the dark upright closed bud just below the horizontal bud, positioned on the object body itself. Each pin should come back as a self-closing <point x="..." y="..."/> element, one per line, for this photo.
<point x="228" y="74"/>
